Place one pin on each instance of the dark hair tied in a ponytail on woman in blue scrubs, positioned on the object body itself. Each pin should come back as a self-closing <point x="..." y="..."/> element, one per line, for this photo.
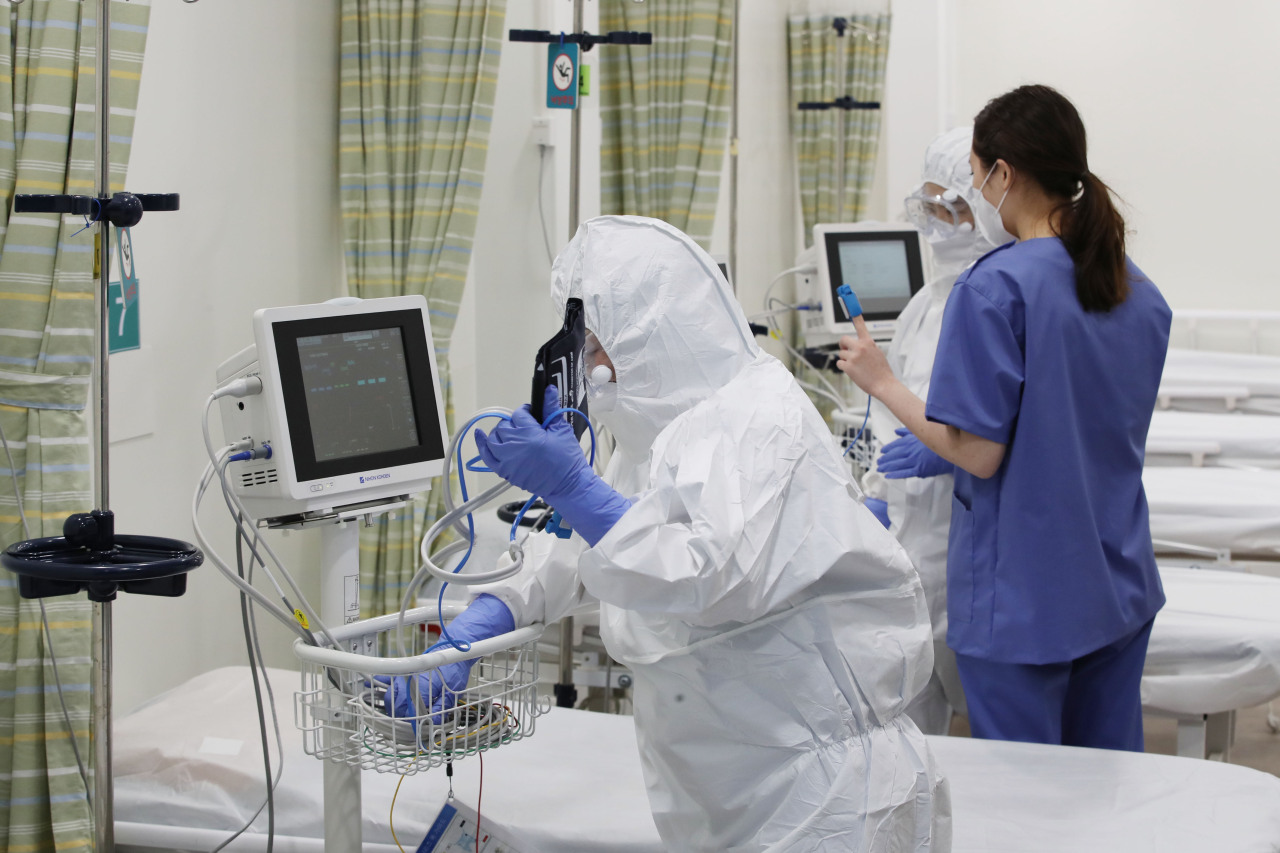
<point x="1040" y="134"/>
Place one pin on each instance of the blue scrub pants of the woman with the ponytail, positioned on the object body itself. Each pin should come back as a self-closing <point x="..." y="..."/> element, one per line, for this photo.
<point x="1092" y="701"/>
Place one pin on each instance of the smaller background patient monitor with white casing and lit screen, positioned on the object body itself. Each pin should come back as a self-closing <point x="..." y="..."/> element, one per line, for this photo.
<point x="885" y="266"/>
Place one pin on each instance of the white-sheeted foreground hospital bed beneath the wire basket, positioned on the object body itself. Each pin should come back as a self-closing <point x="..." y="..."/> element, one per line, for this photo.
<point x="188" y="773"/>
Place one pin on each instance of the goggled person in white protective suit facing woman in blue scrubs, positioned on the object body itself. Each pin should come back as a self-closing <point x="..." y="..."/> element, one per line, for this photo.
<point x="917" y="483"/>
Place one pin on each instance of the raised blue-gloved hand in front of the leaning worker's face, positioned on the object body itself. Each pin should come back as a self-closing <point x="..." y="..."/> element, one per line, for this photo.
<point x="550" y="464"/>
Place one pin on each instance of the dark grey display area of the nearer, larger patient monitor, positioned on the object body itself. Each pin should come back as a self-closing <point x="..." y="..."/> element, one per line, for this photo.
<point x="358" y="393"/>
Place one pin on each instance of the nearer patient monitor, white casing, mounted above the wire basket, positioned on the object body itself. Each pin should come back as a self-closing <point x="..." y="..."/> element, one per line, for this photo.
<point x="350" y="408"/>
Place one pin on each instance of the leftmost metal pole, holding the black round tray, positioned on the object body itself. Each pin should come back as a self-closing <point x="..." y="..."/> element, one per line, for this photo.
<point x="104" y="820"/>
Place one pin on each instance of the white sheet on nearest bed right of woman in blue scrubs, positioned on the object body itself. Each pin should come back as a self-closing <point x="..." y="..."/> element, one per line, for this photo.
<point x="1217" y="645"/>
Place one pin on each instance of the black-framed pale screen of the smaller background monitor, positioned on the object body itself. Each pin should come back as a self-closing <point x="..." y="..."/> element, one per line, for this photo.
<point x="884" y="268"/>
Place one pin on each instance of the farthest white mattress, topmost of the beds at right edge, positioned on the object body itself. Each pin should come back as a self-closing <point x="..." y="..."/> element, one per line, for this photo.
<point x="1194" y="381"/>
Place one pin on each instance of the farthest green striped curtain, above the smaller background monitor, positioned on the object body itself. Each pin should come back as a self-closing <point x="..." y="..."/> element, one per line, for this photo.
<point x="812" y="44"/>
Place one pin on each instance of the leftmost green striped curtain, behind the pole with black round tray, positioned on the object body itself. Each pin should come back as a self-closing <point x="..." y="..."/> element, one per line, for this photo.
<point x="48" y="130"/>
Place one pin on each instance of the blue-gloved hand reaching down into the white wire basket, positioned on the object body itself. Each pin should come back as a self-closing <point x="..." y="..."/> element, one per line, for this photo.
<point x="487" y="617"/>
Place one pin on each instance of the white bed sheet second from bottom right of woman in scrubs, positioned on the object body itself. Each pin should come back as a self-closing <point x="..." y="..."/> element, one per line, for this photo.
<point x="1215" y="508"/>
